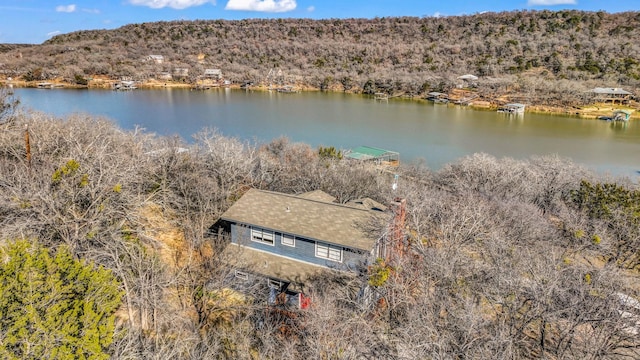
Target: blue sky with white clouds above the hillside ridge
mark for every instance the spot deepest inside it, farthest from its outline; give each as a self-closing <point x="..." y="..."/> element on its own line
<point x="34" y="21"/>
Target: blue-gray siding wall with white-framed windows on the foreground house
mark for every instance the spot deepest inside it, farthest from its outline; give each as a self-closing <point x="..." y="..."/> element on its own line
<point x="304" y="250"/>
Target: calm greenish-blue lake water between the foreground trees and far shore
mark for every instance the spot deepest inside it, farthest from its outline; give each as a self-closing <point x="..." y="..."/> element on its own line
<point x="419" y="131"/>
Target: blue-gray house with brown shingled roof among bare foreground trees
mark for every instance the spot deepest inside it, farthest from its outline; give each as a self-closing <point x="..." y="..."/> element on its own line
<point x="285" y="238"/>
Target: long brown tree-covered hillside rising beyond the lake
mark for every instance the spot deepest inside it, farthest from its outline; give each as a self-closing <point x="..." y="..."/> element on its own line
<point x="545" y="55"/>
